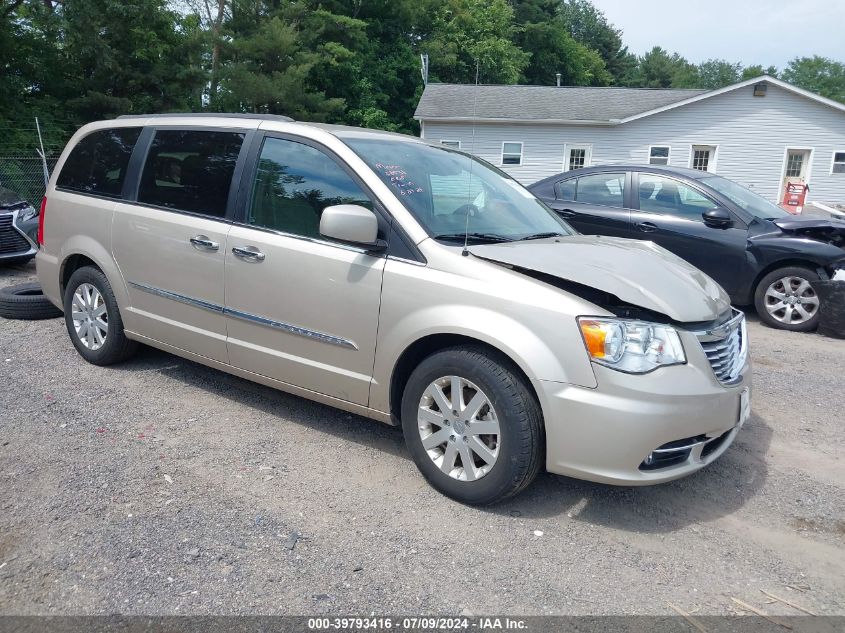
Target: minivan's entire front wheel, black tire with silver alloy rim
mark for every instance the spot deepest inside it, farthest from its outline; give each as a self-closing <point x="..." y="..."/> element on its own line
<point x="472" y="425"/>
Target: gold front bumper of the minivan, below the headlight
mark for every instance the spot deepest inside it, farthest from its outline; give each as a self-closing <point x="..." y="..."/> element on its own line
<point x="606" y="434"/>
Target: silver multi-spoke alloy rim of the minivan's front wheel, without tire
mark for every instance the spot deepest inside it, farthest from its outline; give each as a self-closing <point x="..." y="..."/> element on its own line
<point x="459" y="428"/>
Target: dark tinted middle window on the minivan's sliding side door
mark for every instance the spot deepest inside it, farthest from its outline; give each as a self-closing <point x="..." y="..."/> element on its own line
<point x="190" y="170"/>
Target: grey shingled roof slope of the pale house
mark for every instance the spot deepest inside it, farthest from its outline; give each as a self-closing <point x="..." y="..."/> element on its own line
<point x="534" y="103"/>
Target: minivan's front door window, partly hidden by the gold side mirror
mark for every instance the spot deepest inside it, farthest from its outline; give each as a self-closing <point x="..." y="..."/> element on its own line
<point x="294" y="183"/>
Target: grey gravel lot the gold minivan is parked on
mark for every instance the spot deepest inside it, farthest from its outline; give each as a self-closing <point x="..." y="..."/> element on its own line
<point x="163" y="487"/>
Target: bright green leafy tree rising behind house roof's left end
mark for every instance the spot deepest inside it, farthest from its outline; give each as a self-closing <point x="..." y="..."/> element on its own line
<point x="470" y="32"/>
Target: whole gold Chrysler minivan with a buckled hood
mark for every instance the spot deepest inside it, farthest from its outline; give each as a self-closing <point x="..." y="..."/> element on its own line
<point x="399" y="280"/>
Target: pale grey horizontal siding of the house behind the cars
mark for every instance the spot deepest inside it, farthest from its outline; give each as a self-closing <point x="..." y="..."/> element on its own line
<point x="751" y="135"/>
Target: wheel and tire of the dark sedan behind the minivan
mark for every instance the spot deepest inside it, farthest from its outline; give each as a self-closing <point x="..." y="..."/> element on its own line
<point x="785" y="299"/>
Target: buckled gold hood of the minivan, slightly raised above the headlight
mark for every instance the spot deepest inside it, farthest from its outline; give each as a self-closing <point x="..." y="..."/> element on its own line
<point x="640" y="273"/>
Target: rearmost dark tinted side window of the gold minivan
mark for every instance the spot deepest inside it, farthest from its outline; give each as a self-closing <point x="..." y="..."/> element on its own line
<point x="97" y="165"/>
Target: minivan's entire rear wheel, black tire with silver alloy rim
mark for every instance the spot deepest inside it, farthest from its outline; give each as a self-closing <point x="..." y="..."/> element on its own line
<point x="93" y="320"/>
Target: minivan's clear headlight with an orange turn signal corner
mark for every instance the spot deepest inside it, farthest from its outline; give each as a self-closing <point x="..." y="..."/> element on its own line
<point x="635" y="347"/>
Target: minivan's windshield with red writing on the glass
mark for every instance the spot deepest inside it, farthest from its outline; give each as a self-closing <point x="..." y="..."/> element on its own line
<point x="450" y="192"/>
